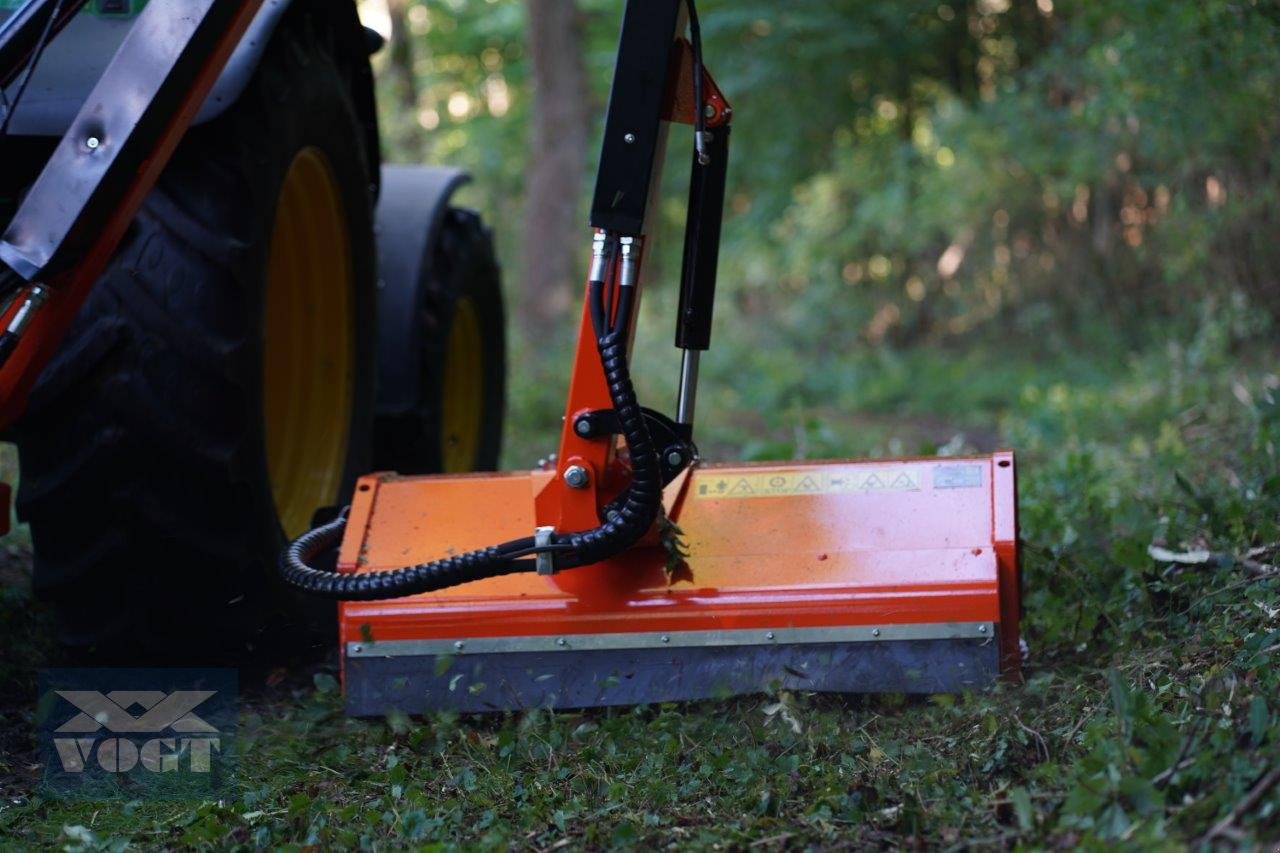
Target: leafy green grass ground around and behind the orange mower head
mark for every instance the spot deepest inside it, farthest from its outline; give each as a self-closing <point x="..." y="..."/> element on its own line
<point x="1149" y="715"/>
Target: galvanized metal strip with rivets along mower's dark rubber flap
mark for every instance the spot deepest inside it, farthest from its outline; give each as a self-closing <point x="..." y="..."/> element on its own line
<point x="673" y="640"/>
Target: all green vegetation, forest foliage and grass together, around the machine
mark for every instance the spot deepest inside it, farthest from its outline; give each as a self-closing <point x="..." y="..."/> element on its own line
<point x="1046" y="226"/>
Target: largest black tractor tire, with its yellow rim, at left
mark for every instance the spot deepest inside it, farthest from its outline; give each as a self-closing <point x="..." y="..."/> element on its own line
<point x="218" y="386"/>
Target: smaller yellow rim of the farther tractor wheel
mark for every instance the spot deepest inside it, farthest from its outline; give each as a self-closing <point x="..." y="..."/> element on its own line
<point x="463" y="408"/>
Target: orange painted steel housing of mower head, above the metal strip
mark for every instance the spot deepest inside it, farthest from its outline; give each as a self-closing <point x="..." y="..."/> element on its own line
<point x="881" y="542"/>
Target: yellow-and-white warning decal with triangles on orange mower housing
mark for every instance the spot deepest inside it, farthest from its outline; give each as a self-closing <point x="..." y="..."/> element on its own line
<point x="828" y="481"/>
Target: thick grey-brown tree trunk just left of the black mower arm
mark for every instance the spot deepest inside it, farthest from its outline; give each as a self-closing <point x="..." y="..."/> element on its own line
<point x="557" y="159"/>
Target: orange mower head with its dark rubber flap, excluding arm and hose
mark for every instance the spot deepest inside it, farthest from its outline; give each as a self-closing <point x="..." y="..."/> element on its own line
<point x="884" y="576"/>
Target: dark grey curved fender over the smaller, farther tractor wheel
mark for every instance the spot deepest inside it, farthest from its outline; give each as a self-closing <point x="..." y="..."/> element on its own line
<point x="408" y="225"/>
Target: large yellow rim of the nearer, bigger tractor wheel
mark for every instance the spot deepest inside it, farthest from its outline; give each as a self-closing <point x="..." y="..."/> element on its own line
<point x="308" y="344"/>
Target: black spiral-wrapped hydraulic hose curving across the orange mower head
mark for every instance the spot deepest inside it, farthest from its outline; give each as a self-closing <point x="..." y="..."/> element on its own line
<point x="637" y="509"/>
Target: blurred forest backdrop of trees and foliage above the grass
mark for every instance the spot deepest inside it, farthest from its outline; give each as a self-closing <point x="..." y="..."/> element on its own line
<point x="903" y="170"/>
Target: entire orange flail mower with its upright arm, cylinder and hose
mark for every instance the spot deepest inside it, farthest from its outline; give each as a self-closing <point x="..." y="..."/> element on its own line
<point x="630" y="573"/>
